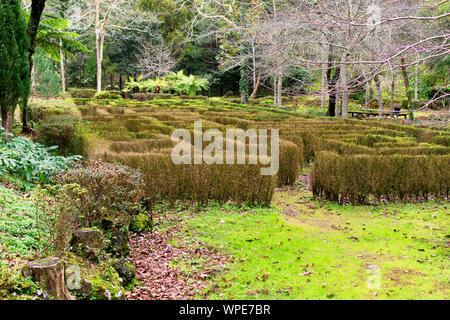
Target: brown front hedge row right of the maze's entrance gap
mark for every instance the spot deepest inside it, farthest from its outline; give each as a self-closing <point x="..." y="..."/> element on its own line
<point x="398" y="177"/>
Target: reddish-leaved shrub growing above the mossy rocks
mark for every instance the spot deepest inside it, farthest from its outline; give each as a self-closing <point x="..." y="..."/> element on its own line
<point x="112" y="191"/>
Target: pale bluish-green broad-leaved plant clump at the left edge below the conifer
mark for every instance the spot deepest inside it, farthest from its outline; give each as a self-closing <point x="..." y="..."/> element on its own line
<point x="29" y="161"/>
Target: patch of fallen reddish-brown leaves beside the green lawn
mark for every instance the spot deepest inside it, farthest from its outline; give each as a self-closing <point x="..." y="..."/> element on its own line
<point x="159" y="263"/>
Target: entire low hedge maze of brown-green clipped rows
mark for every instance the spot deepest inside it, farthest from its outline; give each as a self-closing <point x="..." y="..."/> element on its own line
<point x="353" y="161"/>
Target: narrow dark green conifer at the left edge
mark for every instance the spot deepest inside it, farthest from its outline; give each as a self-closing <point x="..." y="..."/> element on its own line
<point x="14" y="67"/>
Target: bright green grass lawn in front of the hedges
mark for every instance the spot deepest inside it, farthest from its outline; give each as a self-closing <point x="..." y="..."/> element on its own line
<point x="304" y="249"/>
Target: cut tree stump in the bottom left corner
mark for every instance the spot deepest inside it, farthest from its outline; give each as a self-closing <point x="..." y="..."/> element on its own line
<point x="50" y="272"/>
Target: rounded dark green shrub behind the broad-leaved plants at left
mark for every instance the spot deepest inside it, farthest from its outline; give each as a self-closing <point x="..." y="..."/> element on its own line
<point x="64" y="132"/>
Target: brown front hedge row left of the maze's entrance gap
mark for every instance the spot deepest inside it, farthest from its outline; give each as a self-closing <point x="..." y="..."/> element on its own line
<point x="239" y="183"/>
